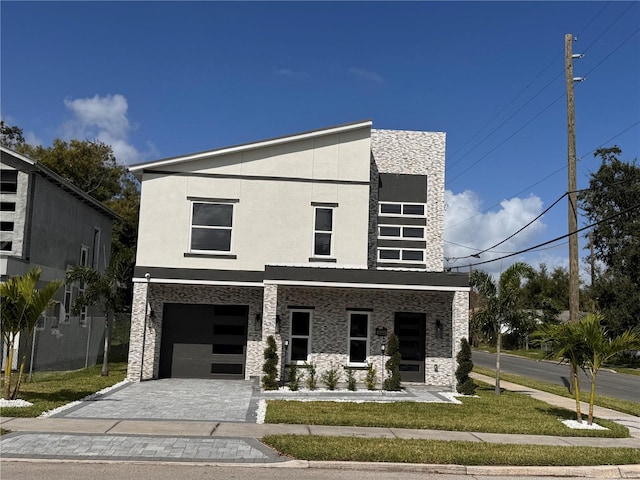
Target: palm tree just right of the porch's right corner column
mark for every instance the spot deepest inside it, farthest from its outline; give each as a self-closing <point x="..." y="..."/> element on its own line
<point x="500" y="304"/>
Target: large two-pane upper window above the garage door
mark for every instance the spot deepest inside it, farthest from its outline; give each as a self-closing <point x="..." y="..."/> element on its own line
<point x="211" y="225"/>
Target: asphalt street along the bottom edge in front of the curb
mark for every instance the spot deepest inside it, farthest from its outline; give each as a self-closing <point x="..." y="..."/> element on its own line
<point x="23" y="470"/>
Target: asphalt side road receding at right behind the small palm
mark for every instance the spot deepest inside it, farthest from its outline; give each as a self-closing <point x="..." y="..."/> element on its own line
<point x="611" y="384"/>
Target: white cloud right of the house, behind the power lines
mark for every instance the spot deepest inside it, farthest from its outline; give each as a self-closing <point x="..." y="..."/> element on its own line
<point x="467" y="226"/>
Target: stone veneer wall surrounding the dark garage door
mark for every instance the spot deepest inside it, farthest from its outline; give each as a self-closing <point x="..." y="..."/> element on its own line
<point x="159" y="294"/>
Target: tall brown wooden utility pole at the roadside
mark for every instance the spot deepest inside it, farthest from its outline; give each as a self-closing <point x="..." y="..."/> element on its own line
<point x="574" y="300"/>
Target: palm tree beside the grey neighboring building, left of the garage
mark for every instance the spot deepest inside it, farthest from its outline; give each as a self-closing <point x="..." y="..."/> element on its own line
<point x="106" y="288"/>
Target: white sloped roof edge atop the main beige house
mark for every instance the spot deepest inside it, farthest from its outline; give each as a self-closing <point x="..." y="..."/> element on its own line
<point x="140" y="167"/>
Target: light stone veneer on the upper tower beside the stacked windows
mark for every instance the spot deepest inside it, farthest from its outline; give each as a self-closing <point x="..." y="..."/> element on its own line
<point x="417" y="153"/>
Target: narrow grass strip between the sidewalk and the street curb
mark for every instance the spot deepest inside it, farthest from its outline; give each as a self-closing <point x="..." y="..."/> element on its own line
<point x="442" y="452"/>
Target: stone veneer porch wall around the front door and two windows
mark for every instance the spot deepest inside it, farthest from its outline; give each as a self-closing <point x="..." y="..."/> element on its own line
<point x="329" y="330"/>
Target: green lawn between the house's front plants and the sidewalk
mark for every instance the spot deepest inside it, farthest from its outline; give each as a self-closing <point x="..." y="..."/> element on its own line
<point x="507" y="413"/>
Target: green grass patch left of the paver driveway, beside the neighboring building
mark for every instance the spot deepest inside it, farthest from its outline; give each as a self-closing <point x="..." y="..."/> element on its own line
<point x="49" y="390"/>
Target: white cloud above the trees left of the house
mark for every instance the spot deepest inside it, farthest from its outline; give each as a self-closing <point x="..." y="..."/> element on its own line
<point x="103" y="118"/>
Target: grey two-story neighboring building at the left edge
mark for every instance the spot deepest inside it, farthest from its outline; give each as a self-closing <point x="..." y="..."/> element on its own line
<point x="48" y="222"/>
